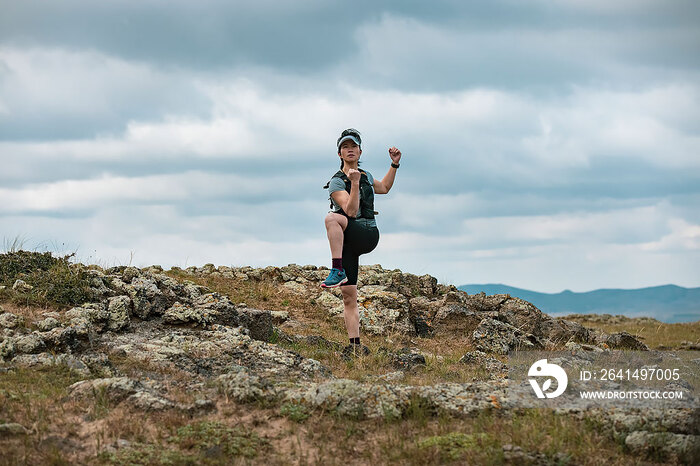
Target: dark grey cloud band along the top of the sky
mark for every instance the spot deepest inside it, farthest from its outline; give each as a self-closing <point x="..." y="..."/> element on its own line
<point x="300" y="36"/>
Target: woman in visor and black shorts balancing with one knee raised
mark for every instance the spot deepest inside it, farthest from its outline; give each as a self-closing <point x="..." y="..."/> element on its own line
<point x="351" y="227"/>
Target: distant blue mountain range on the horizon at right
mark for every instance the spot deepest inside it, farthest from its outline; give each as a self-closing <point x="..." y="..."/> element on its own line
<point x="668" y="303"/>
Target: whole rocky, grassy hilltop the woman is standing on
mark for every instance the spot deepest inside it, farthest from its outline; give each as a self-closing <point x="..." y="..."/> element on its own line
<point x="208" y="347"/>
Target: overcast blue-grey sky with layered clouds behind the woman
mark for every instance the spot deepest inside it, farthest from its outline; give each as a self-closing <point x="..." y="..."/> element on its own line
<point x="547" y="144"/>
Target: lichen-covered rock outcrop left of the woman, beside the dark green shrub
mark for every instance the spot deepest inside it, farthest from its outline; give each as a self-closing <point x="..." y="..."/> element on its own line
<point x="128" y="294"/>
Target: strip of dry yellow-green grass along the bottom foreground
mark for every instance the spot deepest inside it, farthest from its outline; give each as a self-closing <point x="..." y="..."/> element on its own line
<point x="251" y="434"/>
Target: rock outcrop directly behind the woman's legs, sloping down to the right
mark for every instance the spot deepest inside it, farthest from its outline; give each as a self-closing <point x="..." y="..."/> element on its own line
<point x="394" y="302"/>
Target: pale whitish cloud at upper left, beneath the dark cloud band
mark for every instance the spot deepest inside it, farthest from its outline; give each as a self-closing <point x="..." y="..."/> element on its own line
<point x="55" y="94"/>
